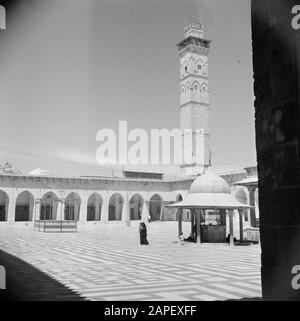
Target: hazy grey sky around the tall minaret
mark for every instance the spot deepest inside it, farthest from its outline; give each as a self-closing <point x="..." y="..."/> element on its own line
<point x="69" y="68"/>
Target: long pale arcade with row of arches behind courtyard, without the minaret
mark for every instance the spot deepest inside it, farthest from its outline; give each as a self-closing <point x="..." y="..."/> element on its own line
<point x="26" y="198"/>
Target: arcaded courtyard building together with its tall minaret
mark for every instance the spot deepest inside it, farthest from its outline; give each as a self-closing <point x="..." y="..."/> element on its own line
<point x="27" y="198"/>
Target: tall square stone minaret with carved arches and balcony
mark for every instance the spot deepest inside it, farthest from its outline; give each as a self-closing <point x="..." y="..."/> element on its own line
<point x="194" y="99"/>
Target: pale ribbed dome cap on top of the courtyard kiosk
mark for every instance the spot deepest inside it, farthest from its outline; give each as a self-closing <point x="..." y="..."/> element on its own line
<point x="209" y="182"/>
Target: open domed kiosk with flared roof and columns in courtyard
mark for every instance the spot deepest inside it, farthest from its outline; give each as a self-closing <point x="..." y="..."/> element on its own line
<point x="210" y="200"/>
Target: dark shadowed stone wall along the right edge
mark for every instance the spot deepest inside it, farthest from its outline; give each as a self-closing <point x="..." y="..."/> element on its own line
<point x="276" y="55"/>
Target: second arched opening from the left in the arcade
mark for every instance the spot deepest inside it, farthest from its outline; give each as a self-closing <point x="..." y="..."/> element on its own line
<point x="24" y="207"/>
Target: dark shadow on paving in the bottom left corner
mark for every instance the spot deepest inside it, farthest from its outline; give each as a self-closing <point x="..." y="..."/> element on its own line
<point x="24" y="282"/>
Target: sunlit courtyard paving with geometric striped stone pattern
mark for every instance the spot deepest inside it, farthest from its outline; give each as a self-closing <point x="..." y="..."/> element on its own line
<point x="106" y="262"/>
